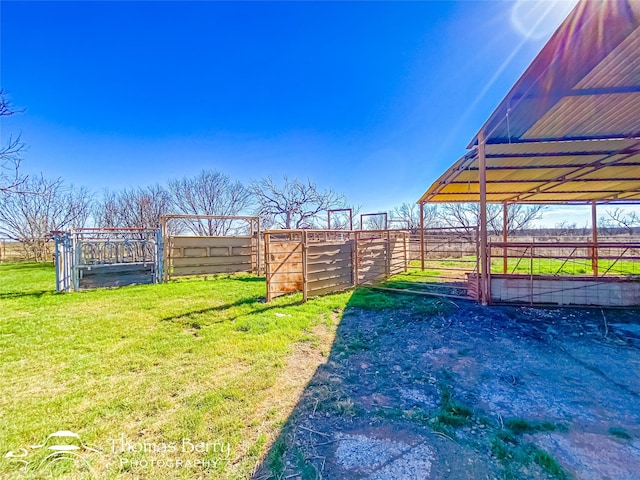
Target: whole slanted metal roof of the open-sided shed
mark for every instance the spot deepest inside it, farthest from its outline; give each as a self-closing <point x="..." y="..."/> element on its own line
<point x="569" y="129"/>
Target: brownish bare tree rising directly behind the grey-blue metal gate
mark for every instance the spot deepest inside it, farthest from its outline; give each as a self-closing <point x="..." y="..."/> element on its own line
<point x="133" y="208"/>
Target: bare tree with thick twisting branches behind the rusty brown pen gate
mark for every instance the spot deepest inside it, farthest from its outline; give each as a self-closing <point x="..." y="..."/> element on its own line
<point x="294" y="204"/>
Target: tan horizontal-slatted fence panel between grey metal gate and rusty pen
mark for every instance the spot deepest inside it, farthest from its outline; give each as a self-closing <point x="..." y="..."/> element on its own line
<point x="210" y="255"/>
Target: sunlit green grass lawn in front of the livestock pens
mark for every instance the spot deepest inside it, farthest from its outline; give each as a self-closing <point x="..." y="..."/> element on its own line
<point x="197" y="359"/>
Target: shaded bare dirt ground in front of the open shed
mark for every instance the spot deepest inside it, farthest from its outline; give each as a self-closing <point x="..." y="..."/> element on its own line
<point x="470" y="392"/>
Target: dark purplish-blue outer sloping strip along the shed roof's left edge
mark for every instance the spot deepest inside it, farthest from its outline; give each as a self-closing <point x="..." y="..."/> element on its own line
<point x="587" y="38"/>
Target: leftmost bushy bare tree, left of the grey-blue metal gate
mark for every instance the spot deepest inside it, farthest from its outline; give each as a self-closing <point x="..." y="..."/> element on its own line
<point x="49" y="206"/>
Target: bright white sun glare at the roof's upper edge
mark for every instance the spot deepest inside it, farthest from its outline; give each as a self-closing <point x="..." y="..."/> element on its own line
<point x="537" y="19"/>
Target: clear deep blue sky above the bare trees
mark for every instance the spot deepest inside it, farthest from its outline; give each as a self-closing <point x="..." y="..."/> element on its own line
<point x="375" y="100"/>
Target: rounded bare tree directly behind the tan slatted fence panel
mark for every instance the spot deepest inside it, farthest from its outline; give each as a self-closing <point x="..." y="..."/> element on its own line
<point x="209" y="193"/>
